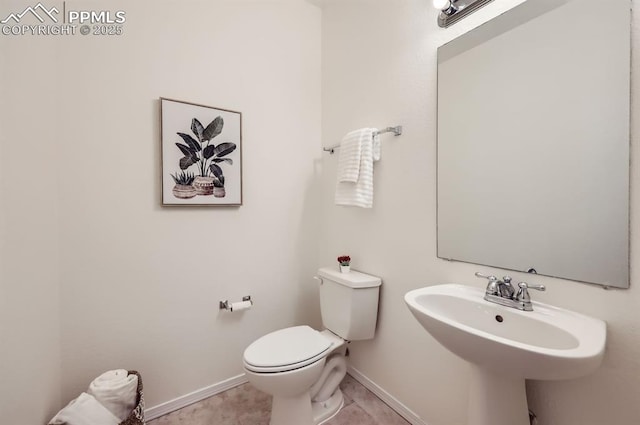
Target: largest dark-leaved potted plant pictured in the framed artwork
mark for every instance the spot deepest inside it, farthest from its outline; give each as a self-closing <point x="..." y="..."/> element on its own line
<point x="202" y="153"/>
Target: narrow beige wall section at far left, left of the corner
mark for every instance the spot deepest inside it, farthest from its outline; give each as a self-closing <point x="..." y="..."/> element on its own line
<point x="29" y="214"/>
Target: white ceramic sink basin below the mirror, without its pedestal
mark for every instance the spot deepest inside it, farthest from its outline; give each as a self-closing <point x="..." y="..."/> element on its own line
<point x="547" y="343"/>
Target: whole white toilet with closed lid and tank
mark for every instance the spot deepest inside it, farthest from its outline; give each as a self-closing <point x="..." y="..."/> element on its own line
<point x="301" y="367"/>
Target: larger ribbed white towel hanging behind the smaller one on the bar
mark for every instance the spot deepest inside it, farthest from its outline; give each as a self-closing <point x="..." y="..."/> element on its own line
<point x="360" y="192"/>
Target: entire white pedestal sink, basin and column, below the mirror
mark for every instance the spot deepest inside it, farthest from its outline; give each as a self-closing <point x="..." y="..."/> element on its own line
<point x="505" y="346"/>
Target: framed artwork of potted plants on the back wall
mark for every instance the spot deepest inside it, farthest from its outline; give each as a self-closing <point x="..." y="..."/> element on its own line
<point x="201" y="154"/>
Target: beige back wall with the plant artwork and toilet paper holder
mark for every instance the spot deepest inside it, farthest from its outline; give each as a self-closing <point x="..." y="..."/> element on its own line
<point x="140" y="284"/>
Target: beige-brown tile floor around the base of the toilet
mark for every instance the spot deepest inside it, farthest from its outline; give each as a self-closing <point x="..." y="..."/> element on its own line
<point x="244" y="405"/>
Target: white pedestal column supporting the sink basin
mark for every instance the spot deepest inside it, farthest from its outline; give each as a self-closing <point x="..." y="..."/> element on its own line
<point x="496" y="399"/>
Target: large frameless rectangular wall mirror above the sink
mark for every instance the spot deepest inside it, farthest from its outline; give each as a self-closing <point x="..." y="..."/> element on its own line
<point x="533" y="141"/>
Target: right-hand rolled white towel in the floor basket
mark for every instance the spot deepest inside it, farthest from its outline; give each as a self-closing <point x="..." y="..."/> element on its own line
<point x="117" y="391"/>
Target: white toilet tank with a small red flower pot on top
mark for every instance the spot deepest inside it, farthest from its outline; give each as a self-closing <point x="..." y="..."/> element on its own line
<point x="349" y="303"/>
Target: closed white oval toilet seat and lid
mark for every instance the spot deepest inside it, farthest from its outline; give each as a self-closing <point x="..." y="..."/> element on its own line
<point x="286" y="349"/>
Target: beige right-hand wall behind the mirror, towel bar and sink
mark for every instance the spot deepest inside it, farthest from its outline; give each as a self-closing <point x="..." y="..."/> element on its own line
<point x="379" y="69"/>
